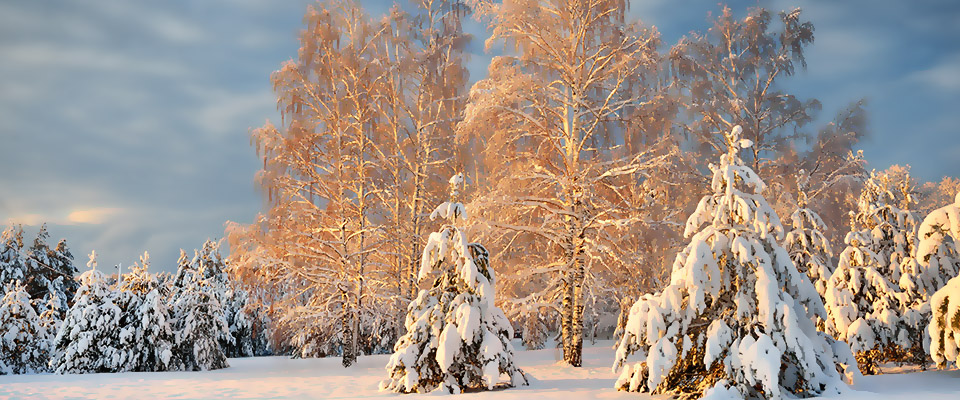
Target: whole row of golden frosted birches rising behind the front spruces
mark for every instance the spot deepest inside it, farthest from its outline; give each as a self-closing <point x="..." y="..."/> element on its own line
<point x="584" y="148"/>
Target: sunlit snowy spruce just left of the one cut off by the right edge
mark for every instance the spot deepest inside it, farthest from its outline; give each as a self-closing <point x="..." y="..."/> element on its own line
<point x="871" y="300"/>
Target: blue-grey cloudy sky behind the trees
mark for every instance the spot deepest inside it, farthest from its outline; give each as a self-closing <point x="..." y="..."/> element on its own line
<point x="125" y="125"/>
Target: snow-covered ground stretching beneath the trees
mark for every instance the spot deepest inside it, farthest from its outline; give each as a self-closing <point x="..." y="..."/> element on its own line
<point x="284" y="378"/>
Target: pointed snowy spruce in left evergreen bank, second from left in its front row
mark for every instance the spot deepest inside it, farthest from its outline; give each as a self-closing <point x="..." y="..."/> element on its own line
<point x="88" y="339"/>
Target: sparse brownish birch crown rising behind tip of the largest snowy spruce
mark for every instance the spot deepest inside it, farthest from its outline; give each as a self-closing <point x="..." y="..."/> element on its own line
<point x="732" y="74"/>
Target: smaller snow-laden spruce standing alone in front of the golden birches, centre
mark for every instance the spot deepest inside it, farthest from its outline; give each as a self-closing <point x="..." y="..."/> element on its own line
<point x="456" y="336"/>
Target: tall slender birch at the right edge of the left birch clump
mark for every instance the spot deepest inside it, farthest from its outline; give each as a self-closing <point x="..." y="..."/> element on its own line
<point x="420" y="104"/>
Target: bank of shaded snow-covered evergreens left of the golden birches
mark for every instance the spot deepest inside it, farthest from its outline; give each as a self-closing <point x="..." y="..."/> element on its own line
<point x="55" y="321"/>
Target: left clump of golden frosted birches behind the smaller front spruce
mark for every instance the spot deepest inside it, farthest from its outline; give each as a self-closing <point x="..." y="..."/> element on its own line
<point x="366" y="106"/>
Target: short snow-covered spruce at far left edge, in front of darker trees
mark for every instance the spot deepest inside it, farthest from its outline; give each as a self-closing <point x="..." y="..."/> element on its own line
<point x="23" y="339"/>
